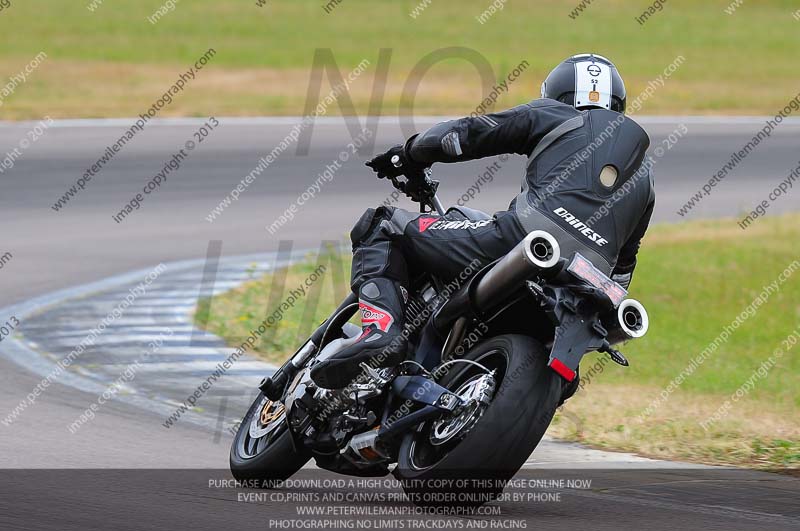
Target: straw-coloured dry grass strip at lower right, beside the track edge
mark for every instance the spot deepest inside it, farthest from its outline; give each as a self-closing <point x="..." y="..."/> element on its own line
<point x="755" y="434"/>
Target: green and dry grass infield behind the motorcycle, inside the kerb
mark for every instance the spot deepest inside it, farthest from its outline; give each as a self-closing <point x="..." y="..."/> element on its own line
<point x="696" y="279"/>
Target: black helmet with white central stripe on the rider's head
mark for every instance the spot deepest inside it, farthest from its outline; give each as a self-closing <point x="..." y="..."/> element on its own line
<point x="586" y="81"/>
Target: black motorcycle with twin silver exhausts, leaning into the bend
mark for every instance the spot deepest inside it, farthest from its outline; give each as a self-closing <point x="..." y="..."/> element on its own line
<point x="489" y="362"/>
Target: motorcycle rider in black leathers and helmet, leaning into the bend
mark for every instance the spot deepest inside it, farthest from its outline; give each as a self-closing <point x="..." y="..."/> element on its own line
<point x="581" y="150"/>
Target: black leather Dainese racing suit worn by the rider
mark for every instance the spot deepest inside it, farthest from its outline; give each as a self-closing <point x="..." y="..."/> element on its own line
<point x="561" y="192"/>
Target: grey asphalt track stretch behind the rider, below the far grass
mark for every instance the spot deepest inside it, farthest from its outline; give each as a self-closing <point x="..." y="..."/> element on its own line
<point x="82" y="243"/>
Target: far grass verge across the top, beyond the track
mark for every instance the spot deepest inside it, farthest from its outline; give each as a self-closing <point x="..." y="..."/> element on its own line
<point x="111" y="61"/>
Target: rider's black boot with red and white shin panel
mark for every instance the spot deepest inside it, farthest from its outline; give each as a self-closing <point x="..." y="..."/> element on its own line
<point x="382" y="342"/>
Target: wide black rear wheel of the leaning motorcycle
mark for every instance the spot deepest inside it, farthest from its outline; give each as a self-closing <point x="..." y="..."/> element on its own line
<point x="474" y="453"/>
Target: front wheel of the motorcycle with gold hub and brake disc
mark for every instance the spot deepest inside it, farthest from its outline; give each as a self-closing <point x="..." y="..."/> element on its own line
<point x="263" y="448"/>
